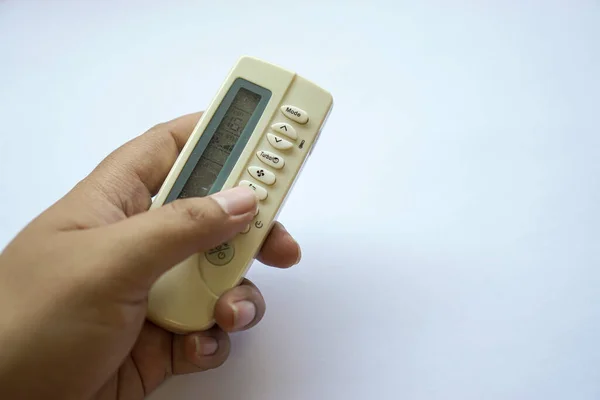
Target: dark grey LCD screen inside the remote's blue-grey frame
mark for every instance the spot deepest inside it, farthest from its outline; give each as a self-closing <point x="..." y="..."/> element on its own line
<point x="221" y="144"/>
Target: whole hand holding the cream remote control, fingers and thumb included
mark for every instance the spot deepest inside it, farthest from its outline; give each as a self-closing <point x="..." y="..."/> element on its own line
<point x="74" y="282"/>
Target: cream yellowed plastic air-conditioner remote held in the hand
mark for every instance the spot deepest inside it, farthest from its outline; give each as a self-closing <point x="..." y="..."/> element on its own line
<point x="258" y="131"/>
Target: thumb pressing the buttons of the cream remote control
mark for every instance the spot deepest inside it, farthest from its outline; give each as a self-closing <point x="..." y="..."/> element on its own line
<point x="148" y="244"/>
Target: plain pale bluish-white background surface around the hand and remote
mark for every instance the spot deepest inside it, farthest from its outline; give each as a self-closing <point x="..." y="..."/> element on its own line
<point x="449" y="217"/>
